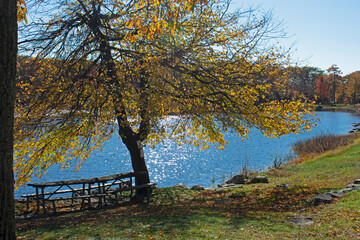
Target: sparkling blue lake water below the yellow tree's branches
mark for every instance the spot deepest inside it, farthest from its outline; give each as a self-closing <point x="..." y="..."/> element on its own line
<point x="170" y="164"/>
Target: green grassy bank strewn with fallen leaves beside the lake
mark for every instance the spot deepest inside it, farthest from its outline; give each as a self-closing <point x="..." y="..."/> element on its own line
<point x="253" y="211"/>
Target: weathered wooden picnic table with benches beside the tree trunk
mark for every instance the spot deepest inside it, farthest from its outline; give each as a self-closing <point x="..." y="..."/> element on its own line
<point x="99" y="188"/>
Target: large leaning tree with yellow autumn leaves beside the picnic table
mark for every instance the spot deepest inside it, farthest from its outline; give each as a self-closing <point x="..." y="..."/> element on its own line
<point x="140" y="64"/>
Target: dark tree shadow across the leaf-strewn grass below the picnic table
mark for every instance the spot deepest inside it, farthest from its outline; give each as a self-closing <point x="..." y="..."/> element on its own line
<point x="173" y="211"/>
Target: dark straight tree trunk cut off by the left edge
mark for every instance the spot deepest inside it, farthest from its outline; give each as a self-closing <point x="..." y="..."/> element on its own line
<point x="8" y="52"/>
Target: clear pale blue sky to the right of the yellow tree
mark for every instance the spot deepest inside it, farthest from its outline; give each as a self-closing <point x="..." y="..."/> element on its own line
<point x="325" y="32"/>
